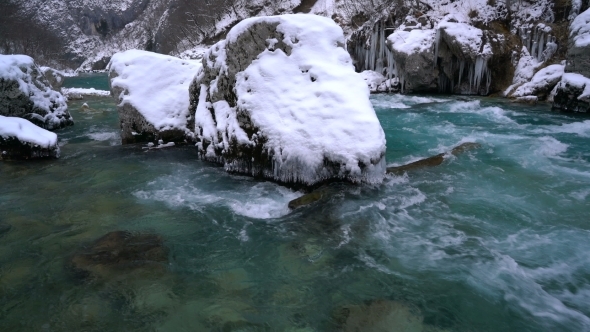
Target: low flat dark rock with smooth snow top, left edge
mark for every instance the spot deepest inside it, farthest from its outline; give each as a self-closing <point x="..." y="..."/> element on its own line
<point x="20" y="139"/>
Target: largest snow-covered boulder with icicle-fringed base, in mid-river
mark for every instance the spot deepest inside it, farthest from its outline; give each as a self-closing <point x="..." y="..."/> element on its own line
<point x="279" y="99"/>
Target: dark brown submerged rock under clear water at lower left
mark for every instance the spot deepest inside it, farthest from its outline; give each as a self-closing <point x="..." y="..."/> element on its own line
<point x="120" y="252"/>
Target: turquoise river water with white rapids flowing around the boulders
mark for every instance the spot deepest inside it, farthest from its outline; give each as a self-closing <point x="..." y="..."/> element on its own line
<point x="495" y="239"/>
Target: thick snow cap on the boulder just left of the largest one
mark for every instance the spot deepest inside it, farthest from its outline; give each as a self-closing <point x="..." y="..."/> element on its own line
<point x="155" y="85"/>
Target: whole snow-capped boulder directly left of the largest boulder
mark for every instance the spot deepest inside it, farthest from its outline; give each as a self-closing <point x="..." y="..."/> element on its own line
<point x="152" y="92"/>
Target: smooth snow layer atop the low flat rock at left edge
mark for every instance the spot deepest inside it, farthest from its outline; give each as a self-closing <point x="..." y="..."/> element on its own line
<point x="26" y="132"/>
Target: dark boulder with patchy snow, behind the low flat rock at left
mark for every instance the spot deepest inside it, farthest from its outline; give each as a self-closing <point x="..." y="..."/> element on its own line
<point x="26" y="93"/>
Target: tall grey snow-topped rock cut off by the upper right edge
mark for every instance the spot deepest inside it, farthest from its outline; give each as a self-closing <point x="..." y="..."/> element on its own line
<point x="578" y="53"/>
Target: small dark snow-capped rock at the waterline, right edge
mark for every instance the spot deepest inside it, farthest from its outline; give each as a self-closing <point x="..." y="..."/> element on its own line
<point x="573" y="93"/>
